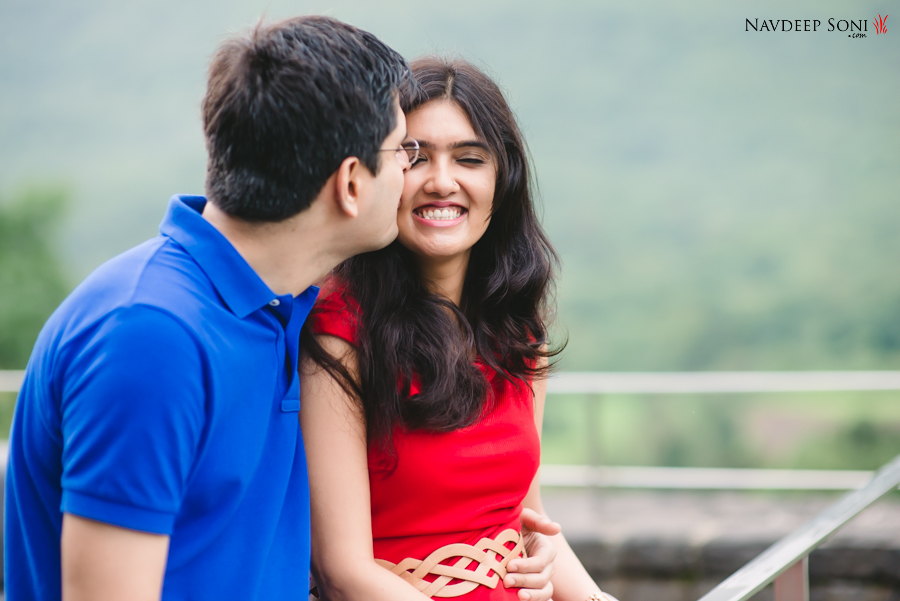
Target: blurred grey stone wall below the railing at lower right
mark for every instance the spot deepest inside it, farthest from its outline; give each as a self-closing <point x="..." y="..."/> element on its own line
<point x="644" y="546"/>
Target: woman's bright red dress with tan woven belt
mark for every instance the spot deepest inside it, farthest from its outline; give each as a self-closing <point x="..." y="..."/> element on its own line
<point x="447" y="487"/>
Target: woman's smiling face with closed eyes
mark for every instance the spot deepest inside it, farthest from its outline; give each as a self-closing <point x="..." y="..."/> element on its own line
<point x="449" y="191"/>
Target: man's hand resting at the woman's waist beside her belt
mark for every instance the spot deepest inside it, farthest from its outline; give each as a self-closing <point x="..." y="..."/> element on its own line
<point x="532" y="575"/>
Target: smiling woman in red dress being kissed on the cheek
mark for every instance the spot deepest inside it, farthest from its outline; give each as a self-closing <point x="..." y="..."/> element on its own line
<point x="424" y="378"/>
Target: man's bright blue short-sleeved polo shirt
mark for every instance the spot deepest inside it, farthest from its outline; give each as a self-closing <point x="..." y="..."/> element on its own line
<point x="162" y="396"/>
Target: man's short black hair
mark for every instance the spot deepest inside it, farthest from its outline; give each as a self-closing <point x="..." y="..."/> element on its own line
<point x="287" y="104"/>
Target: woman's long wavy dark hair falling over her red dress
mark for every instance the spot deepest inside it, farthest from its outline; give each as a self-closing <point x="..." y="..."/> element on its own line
<point x="502" y="318"/>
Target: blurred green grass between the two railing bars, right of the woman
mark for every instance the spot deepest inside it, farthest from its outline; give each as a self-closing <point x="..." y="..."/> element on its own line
<point x="795" y="430"/>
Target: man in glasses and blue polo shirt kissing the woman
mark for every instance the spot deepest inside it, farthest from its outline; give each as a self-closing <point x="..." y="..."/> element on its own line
<point x="155" y="451"/>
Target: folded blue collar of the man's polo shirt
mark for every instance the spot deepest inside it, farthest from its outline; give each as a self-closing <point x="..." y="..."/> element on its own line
<point x="242" y="290"/>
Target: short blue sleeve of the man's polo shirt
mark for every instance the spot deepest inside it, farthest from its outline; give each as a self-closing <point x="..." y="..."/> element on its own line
<point x="132" y="414"/>
